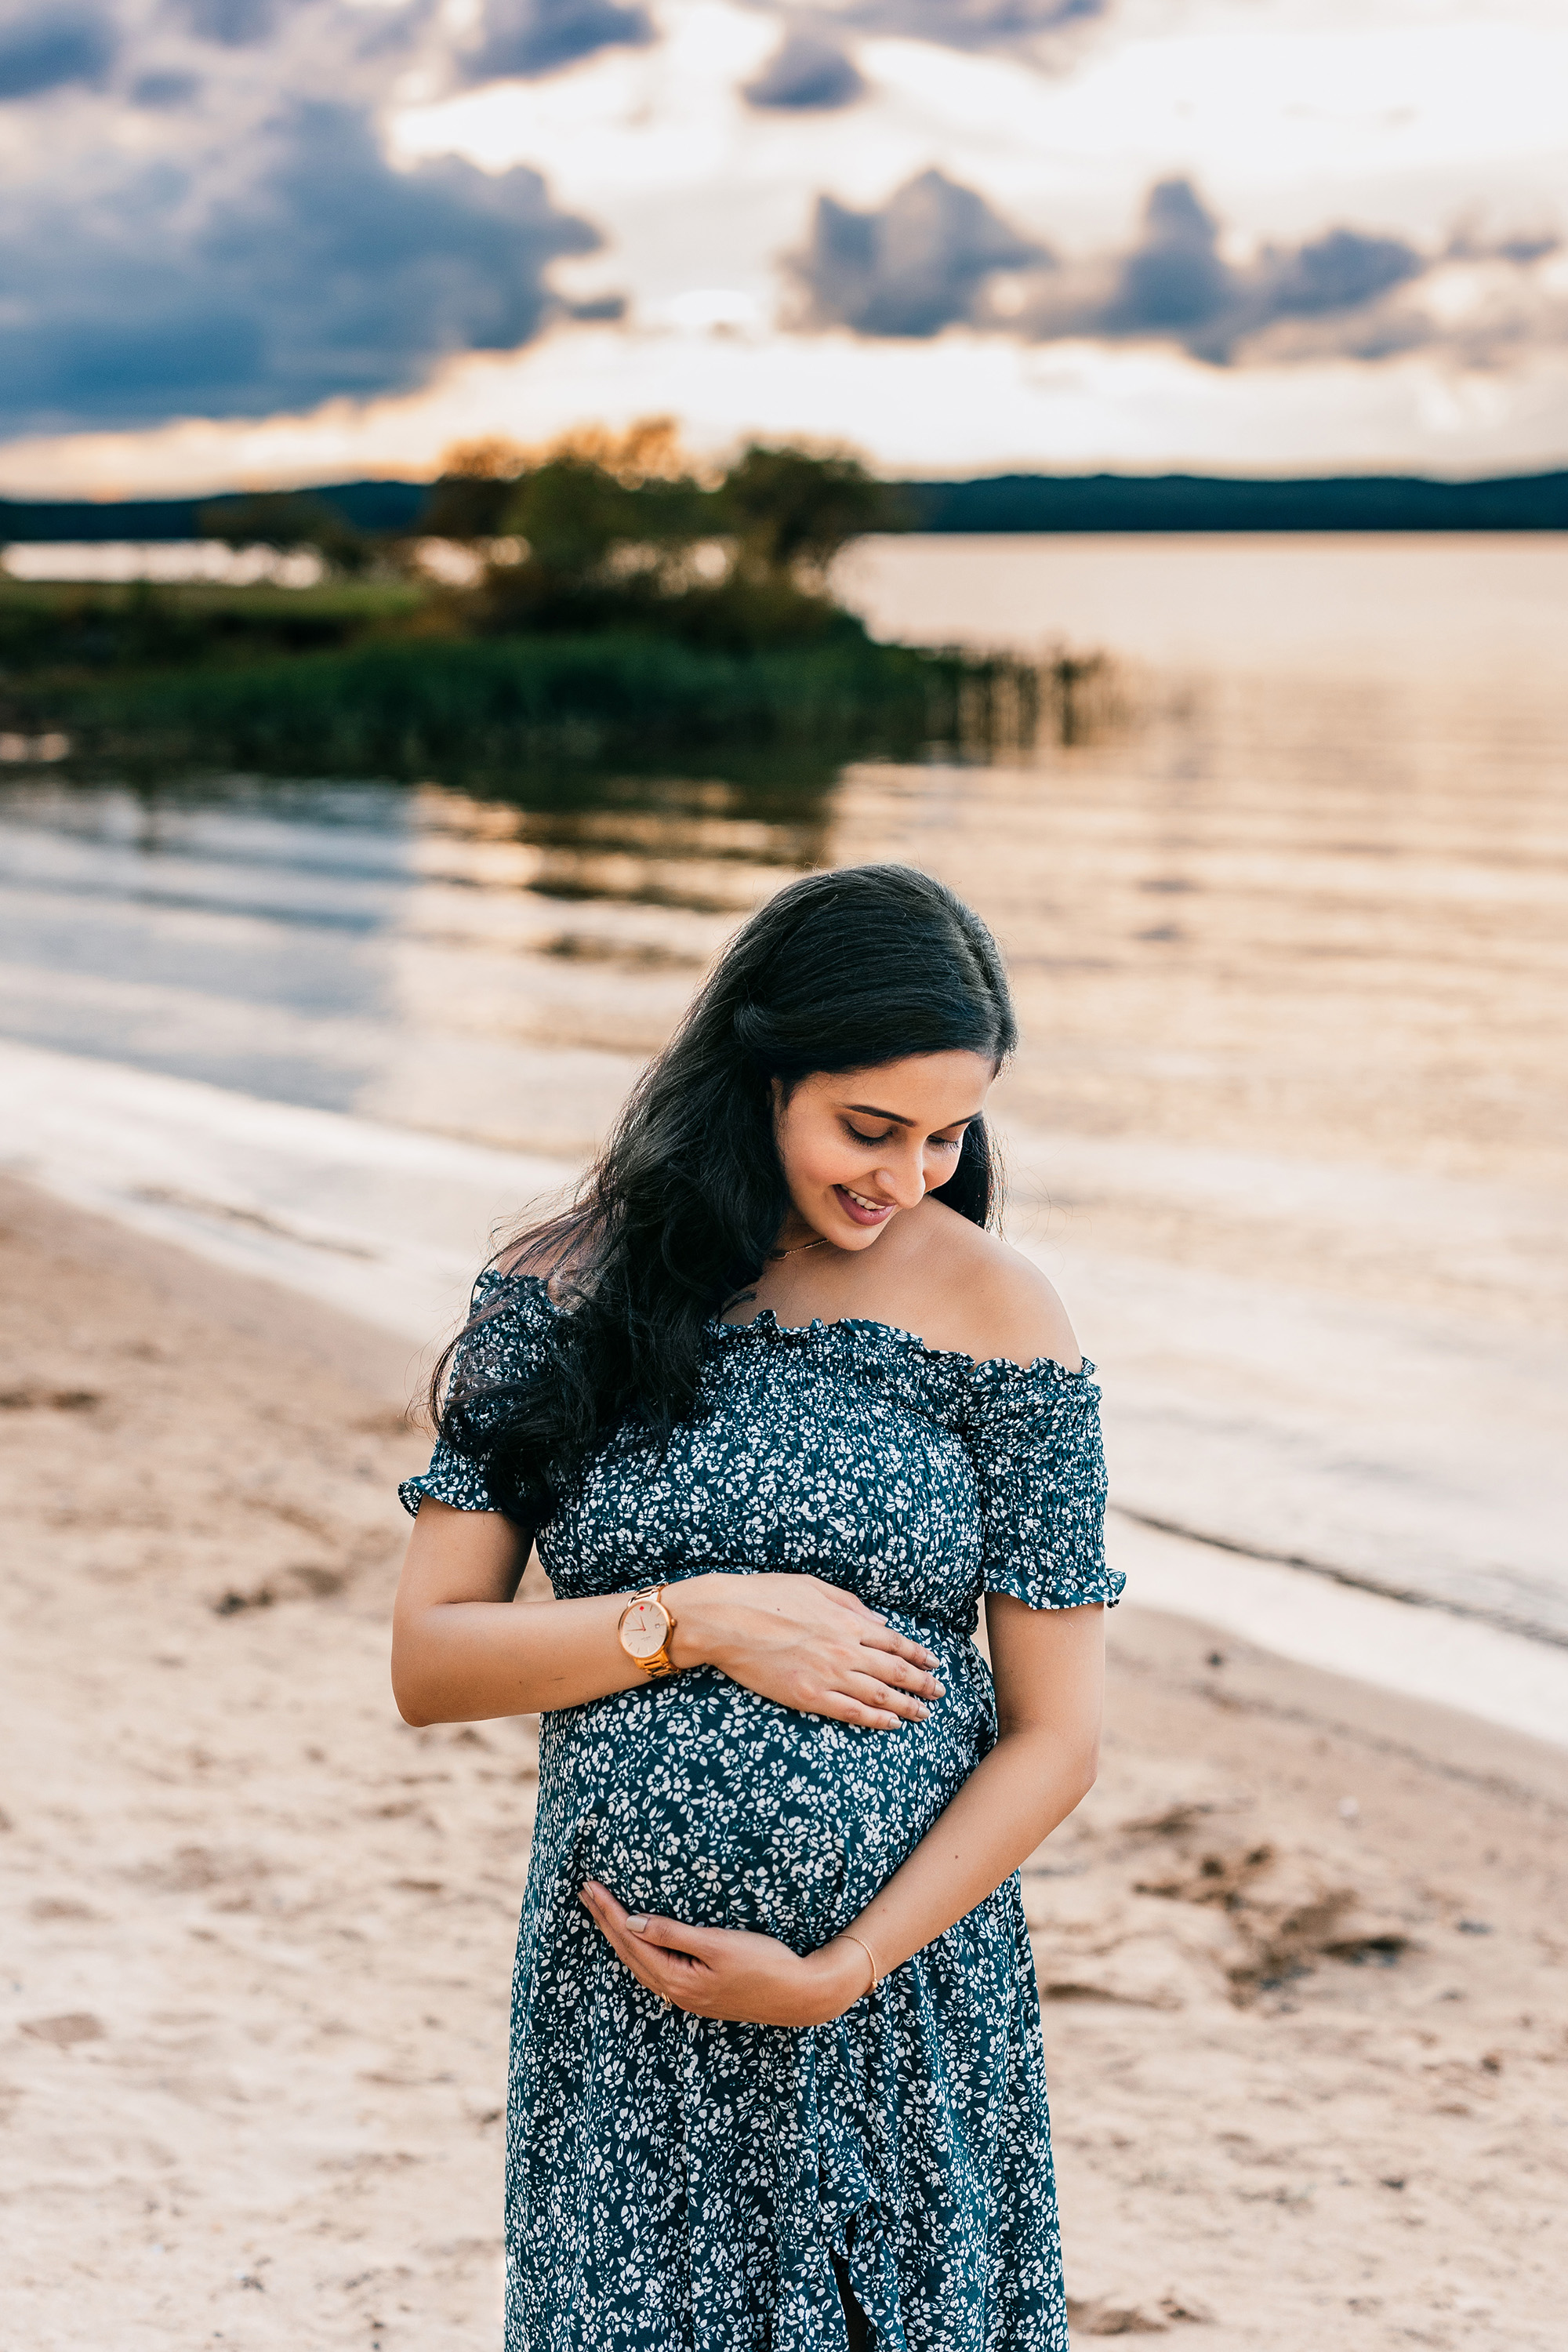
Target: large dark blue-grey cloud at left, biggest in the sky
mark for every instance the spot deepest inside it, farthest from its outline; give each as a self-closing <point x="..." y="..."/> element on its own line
<point x="307" y="267"/>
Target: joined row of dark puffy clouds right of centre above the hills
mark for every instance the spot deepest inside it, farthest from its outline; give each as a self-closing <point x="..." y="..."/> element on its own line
<point x="937" y="255"/>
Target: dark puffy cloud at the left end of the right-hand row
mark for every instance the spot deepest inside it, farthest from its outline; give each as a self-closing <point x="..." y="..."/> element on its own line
<point x="916" y="267"/>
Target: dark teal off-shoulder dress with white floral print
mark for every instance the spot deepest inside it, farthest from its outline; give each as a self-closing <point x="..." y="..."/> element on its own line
<point x="683" y="2184"/>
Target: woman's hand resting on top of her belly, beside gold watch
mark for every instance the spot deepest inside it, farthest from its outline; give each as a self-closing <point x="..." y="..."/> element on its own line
<point x="805" y="1645"/>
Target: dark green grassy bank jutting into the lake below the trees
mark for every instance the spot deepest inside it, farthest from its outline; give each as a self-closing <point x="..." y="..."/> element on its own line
<point x="356" y="679"/>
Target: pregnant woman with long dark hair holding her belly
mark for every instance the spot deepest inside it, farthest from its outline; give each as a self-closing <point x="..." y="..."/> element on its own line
<point x="779" y="1410"/>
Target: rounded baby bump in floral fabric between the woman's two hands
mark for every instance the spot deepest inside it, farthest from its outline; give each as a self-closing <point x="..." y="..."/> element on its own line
<point x="704" y="1803"/>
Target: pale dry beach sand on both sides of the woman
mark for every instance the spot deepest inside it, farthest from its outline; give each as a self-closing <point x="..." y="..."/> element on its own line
<point x="1301" y="1951"/>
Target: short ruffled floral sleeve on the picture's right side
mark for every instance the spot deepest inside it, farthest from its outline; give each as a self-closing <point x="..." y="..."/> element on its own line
<point x="1040" y="1466"/>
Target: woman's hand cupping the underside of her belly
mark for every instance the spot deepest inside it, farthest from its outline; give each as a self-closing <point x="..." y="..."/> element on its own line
<point x="730" y="1972"/>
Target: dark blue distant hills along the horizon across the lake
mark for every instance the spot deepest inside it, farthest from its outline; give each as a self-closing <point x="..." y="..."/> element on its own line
<point x="1007" y="502"/>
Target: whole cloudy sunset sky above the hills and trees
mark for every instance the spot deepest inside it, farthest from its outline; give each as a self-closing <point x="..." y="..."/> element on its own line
<point x="253" y="241"/>
